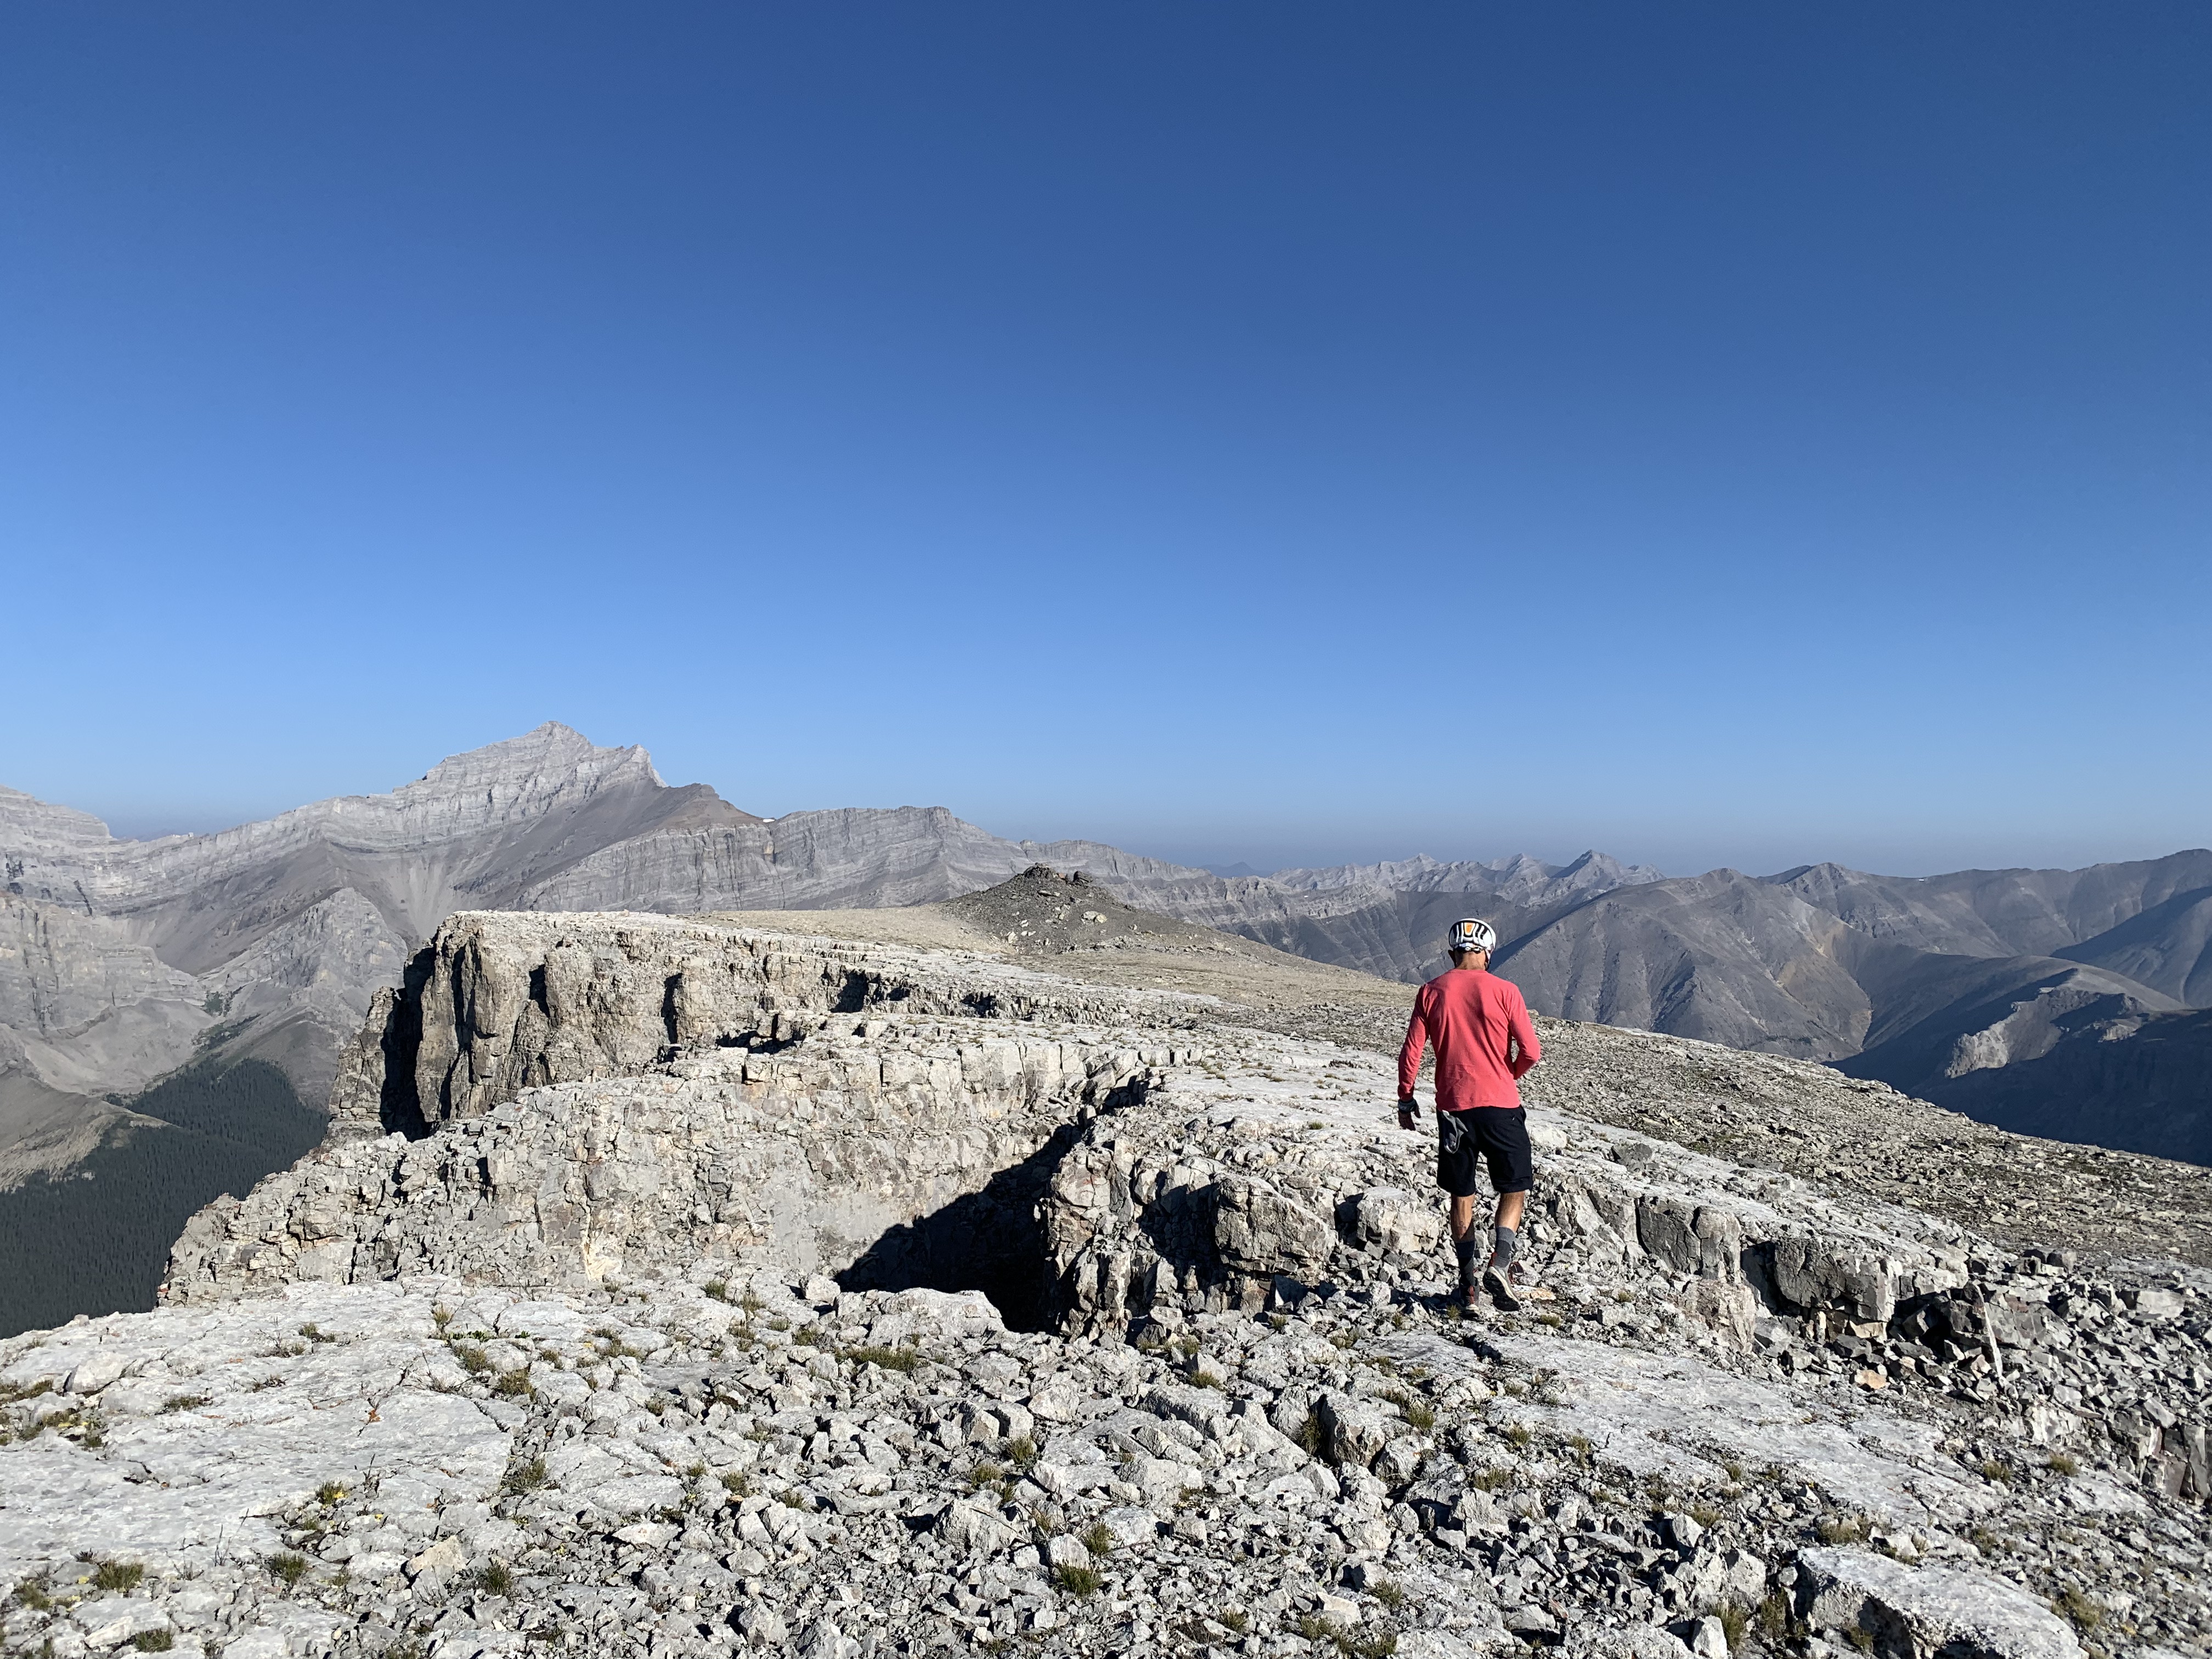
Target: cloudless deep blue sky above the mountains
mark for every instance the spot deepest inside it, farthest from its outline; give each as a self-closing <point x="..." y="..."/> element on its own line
<point x="1284" y="432"/>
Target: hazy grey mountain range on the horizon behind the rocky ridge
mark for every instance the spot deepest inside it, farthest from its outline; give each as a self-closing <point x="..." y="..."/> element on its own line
<point x="2052" y="1001"/>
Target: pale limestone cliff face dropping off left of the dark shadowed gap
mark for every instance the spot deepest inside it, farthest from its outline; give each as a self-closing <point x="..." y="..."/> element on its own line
<point x="603" y="1094"/>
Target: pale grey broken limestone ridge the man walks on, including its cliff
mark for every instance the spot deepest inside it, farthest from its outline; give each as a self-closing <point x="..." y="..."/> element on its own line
<point x="572" y="1370"/>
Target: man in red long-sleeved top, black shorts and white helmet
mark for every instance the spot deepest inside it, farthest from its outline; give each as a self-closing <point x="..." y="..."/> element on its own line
<point x="1485" y="1045"/>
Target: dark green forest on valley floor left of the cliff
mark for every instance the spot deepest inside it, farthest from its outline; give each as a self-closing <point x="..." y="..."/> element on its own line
<point x="96" y="1240"/>
